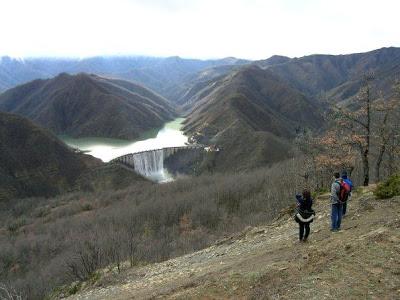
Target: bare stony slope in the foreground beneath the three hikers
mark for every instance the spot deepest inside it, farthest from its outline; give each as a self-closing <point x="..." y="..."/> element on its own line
<point x="360" y="262"/>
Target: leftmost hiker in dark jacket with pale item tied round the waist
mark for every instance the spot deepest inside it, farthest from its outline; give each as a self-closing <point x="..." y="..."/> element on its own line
<point x="304" y="214"/>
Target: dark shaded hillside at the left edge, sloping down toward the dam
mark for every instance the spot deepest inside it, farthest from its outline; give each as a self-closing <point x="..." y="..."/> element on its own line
<point x="35" y="163"/>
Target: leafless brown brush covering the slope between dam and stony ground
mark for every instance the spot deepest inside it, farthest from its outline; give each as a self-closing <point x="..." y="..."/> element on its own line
<point x="43" y="241"/>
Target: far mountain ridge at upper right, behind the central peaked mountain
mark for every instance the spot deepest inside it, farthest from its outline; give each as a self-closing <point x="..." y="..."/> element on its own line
<point x="338" y="77"/>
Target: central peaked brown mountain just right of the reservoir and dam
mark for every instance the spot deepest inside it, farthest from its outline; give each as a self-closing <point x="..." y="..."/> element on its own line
<point x="251" y="114"/>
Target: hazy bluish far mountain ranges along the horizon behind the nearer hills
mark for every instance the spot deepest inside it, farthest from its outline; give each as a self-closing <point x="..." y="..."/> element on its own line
<point x="172" y="76"/>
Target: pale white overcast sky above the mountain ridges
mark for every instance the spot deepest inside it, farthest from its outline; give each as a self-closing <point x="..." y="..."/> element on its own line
<point x="252" y="29"/>
